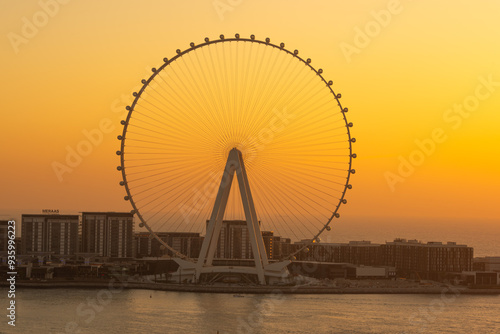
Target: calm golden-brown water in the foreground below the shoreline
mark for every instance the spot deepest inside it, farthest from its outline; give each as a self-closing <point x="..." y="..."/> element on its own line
<point x="142" y="311"/>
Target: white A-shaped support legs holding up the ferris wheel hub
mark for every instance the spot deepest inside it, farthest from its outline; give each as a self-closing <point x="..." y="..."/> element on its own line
<point x="234" y="164"/>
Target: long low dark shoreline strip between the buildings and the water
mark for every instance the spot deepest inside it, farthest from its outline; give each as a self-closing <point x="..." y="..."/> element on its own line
<point x="256" y="289"/>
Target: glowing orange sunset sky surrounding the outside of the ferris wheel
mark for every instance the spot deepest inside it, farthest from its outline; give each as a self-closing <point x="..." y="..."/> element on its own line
<point x="80" y="65"/>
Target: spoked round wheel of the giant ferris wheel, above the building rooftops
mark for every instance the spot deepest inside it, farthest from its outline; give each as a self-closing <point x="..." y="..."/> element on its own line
<point x="242" y="95"/>
